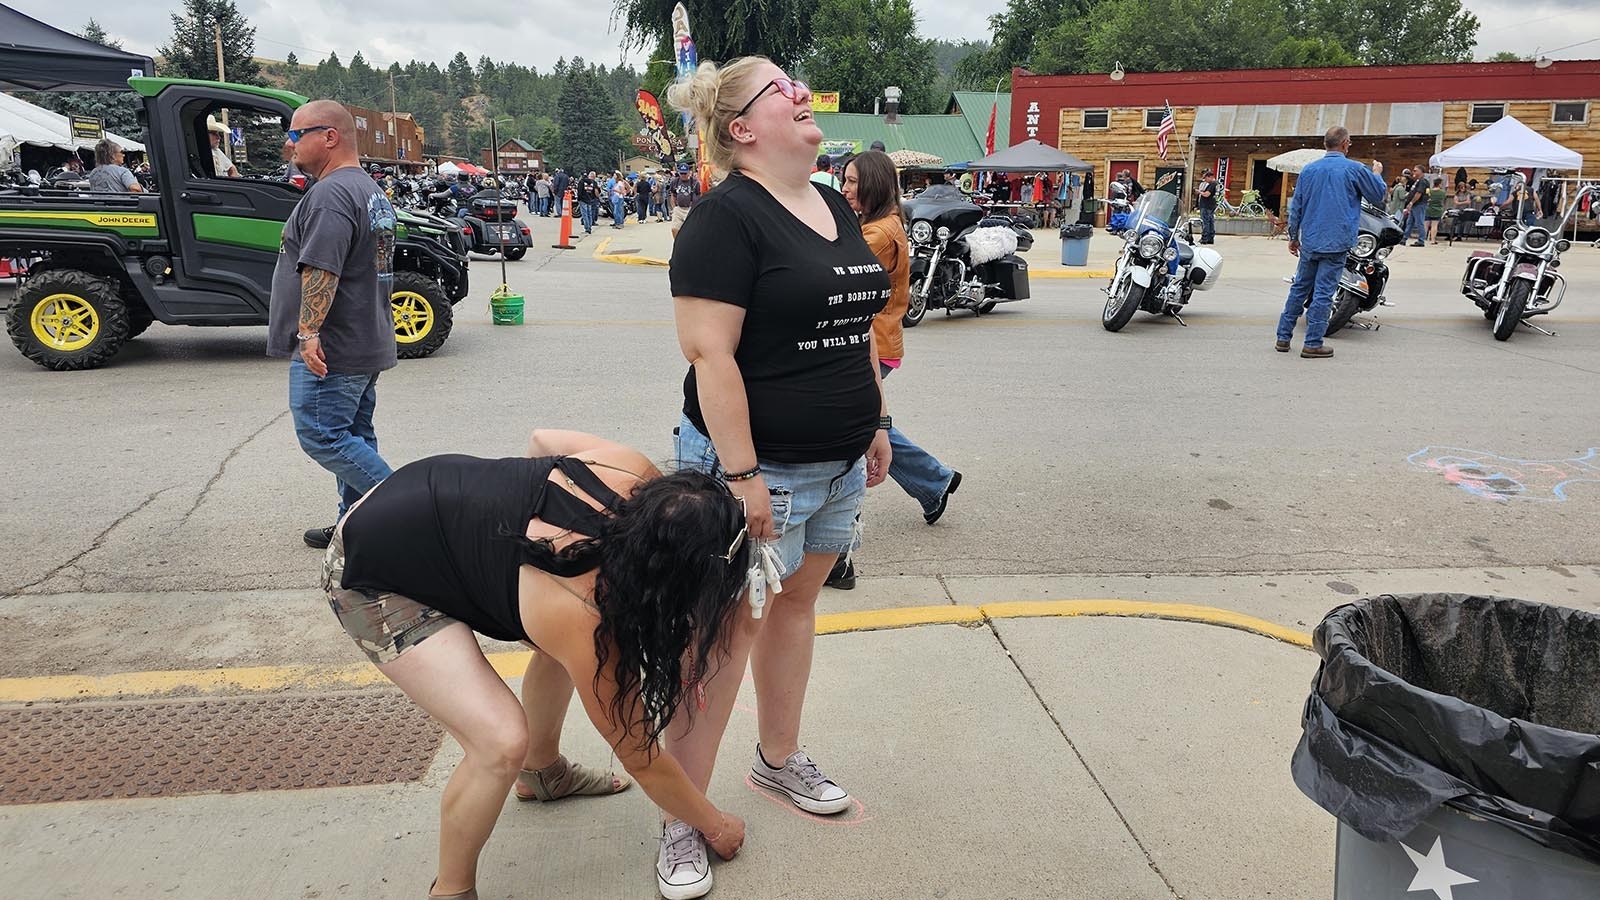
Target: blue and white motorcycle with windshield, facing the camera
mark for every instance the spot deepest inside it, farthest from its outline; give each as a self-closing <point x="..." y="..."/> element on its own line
<point x="1161" y="267"/>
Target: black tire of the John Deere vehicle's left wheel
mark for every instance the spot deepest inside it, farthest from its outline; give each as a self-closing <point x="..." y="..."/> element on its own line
<point x="98" y="294"/>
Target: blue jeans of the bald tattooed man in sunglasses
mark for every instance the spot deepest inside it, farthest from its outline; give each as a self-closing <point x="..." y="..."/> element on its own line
<point x="334" y="420"/>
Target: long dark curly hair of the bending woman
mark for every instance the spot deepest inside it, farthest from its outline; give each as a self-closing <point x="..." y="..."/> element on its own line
<point x="665" y="592"/>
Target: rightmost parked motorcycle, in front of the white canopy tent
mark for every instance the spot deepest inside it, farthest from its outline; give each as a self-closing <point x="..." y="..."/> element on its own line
<point x="1519" y="281"/>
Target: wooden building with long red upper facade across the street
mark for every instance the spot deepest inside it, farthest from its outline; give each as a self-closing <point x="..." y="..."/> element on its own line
<point x="1241" y="119"/>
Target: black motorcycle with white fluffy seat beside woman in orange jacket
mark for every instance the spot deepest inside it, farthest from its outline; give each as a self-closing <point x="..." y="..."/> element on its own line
<point x="961" y="257"/>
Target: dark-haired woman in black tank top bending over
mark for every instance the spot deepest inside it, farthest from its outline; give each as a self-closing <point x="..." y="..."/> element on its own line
<point x="622" y="579"/>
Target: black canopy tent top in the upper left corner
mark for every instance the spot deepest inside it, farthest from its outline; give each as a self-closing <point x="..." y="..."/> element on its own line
<point x="39" y="58"/>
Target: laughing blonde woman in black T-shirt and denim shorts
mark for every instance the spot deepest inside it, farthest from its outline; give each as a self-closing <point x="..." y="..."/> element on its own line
<point x="775" y="292"/>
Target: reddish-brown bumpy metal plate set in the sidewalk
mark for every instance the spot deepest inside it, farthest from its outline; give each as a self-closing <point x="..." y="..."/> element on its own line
<point x="230" y="745"/>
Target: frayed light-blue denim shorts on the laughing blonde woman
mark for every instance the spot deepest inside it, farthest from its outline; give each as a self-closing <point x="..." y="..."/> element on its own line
<point x="817" y="507"/>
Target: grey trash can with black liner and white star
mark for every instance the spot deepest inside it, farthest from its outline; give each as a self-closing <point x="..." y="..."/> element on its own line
<point x="1457" y="739"/>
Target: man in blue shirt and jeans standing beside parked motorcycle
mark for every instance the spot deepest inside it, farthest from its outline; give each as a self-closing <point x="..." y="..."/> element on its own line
<point x="1324" y="222"/>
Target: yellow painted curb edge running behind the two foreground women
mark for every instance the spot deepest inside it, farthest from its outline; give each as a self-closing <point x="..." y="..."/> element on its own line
<point x="266" y="680"/>
